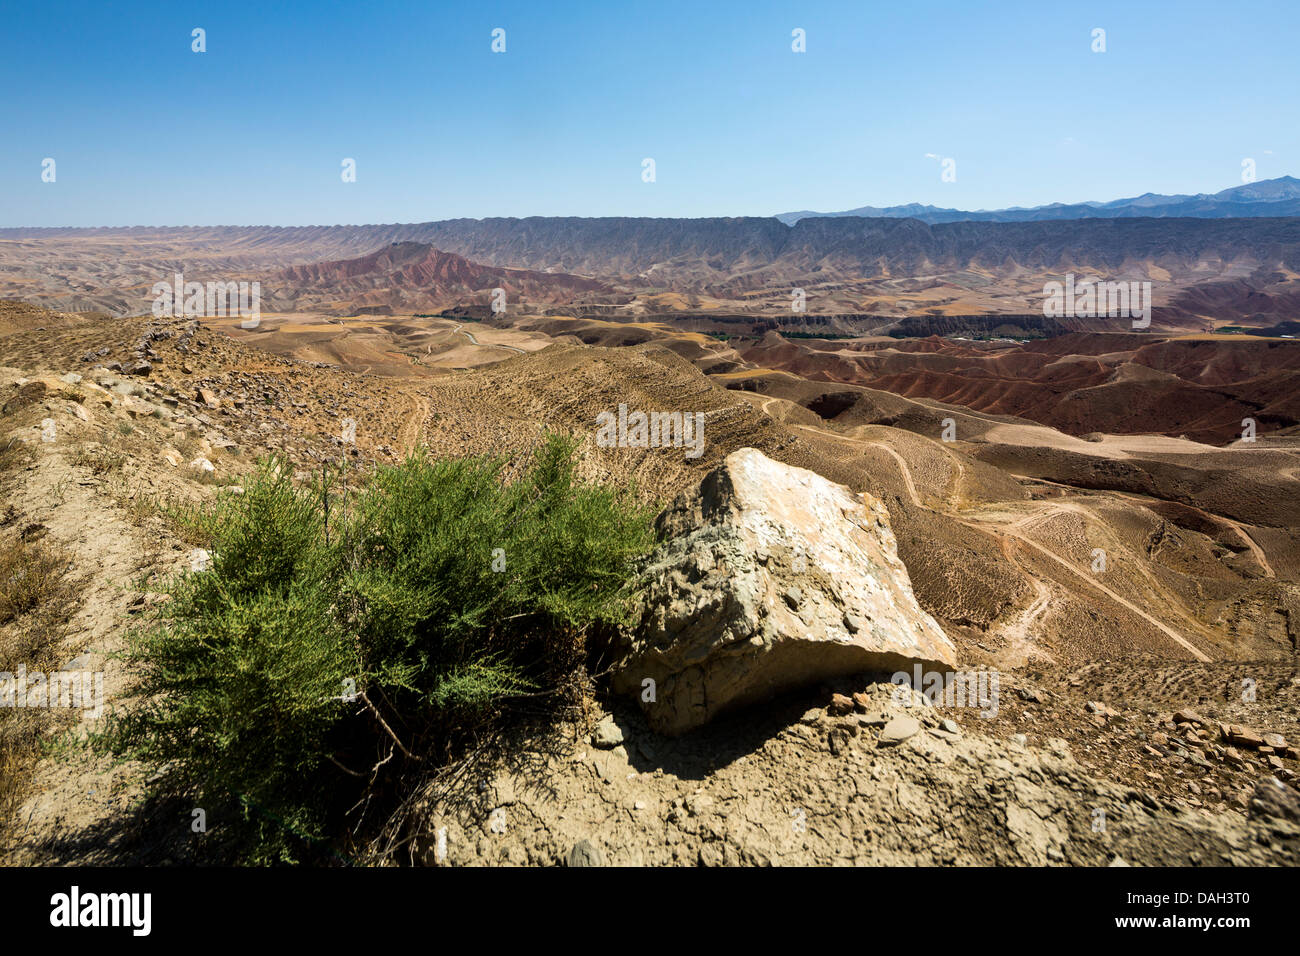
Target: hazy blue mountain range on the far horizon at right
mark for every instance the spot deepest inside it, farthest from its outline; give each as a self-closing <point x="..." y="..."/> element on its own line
<point x="1279" y="197"/>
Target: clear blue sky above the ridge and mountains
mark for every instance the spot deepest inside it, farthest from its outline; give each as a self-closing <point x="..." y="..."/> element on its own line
<point x="146" y="132"/>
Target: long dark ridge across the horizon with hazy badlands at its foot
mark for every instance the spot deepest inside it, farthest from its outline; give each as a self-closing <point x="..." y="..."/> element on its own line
<point x="894" y="267"/>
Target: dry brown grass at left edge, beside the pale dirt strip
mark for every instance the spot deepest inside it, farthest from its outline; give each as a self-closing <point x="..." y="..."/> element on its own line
<point x="37" y="603"/>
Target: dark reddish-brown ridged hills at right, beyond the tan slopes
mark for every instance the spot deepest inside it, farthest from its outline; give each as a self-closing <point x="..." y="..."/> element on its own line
<point x="1199" y="387"/>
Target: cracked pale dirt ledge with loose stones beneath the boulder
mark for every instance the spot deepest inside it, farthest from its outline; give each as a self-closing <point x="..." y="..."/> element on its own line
<point x="896" y="785"/>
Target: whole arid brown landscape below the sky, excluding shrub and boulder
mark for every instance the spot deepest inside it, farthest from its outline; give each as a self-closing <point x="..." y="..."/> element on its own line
<point x="1104" y="517"/>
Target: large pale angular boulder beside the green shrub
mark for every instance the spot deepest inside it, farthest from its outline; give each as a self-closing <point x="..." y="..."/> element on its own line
<point x="770" y="578"/>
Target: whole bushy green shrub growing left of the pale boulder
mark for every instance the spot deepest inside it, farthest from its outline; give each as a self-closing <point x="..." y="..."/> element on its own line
<point x="444" y="592"/>
